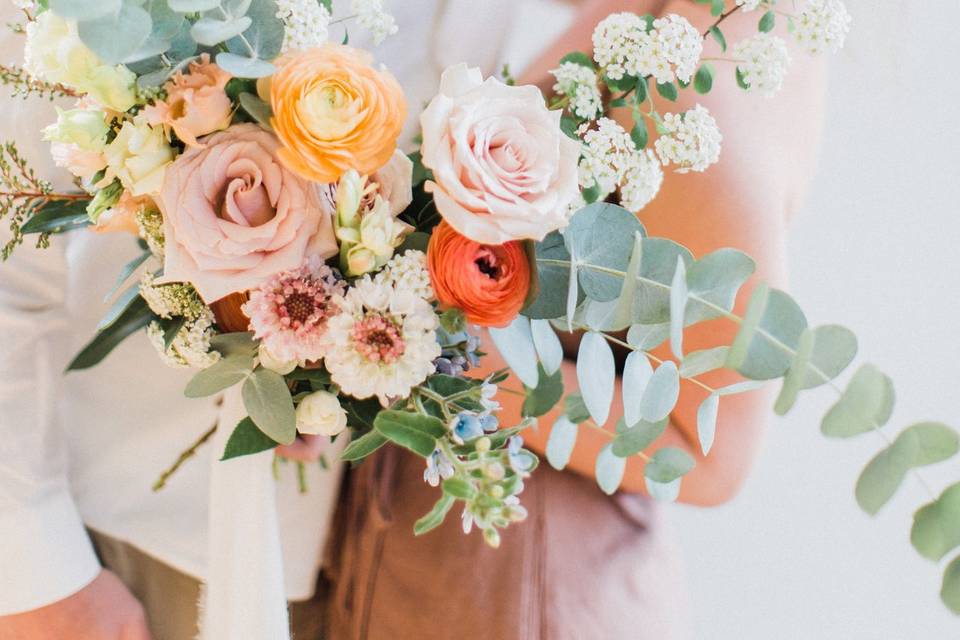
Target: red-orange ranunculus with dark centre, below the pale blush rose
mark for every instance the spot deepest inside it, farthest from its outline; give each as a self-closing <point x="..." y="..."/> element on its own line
<point x="489" y="283"/>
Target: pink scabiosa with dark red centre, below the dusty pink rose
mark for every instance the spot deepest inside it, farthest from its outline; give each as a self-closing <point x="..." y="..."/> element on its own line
<point x="289" y="313"/>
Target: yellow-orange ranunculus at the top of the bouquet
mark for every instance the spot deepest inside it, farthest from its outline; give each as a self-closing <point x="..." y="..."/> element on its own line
<point x="334" y="112"/>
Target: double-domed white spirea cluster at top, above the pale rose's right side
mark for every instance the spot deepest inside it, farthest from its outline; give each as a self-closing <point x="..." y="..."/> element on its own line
<point x="670" y="49"/>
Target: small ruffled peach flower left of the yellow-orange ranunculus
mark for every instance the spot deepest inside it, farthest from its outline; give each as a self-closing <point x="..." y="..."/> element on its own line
<point x="196" y="103"/>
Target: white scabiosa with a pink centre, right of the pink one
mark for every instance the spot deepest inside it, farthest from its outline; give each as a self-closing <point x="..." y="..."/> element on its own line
<point x="382" y="343"/>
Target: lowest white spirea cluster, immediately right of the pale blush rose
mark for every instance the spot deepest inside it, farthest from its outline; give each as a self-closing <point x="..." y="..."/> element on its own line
<point x="612" y="161"/>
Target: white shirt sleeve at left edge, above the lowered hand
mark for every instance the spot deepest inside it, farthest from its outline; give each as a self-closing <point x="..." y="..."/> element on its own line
<point x="45" y="553"/>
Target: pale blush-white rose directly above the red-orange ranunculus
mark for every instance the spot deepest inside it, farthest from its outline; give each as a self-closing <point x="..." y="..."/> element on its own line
<point x="503" y="170"/>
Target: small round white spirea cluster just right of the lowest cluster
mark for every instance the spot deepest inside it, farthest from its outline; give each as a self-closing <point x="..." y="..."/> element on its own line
<point x="690" y="140"/>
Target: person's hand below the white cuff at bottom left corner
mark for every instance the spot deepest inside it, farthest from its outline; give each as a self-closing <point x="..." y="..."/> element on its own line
<point x="103" y="610"/>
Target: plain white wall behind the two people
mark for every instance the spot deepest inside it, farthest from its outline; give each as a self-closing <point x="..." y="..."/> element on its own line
<point x="875" y="249"/>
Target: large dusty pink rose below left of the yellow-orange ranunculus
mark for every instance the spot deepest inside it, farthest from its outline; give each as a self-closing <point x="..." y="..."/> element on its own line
<point x="234" y="215"/>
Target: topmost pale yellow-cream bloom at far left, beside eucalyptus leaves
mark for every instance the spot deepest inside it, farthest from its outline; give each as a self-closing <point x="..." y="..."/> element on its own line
<point x="55" y="53"/>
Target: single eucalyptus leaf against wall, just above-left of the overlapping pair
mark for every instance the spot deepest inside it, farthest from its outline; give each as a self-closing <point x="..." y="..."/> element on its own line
<point x="867" y="403"/>
